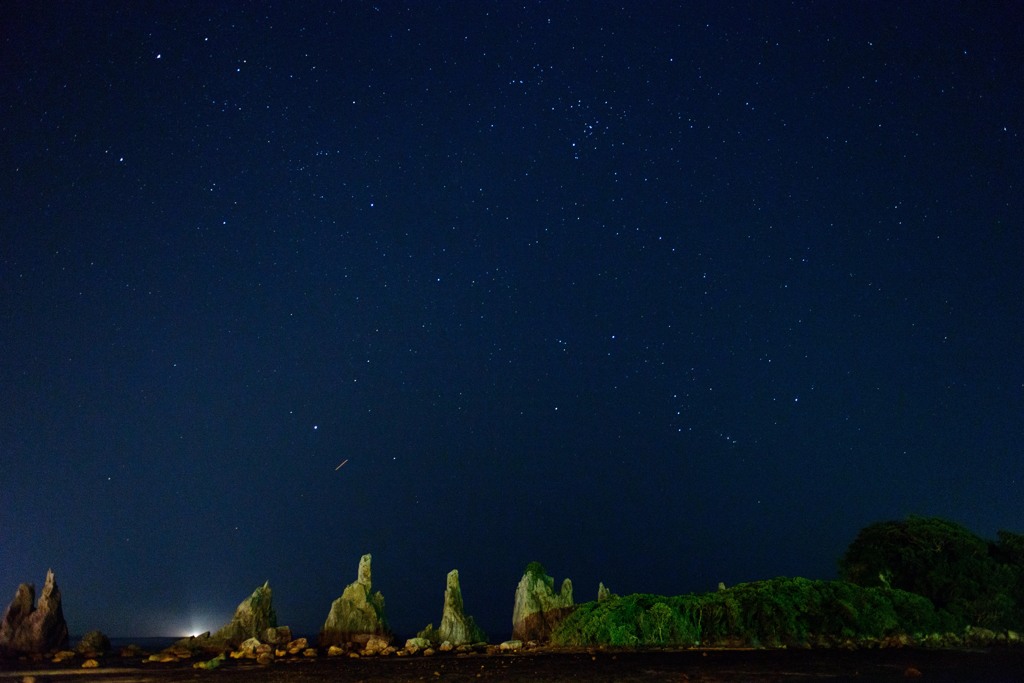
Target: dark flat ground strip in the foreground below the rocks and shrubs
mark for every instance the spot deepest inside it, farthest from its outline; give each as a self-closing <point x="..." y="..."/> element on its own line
<point x="732" y="666"/>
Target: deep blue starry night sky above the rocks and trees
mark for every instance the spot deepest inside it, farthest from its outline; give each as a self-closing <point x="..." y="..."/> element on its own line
<point x="659" y="296"/>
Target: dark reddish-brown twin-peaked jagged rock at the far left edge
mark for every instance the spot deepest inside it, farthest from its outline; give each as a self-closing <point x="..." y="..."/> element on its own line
<point x="30" y="628"/>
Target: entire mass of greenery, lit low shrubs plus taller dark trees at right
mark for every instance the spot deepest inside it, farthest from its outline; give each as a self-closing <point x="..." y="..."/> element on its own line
<point x="900" y="580"/>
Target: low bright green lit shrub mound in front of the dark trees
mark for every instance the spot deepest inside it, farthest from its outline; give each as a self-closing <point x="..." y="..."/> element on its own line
<point x="780" y="612"/>
